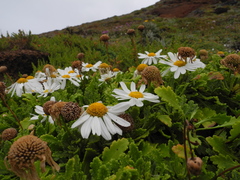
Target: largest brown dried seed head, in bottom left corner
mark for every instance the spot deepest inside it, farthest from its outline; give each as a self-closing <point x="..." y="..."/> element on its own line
<point x="24" y="152"/>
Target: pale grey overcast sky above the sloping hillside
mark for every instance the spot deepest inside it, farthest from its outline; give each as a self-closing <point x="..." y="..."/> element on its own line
<point x="40" y="16"/>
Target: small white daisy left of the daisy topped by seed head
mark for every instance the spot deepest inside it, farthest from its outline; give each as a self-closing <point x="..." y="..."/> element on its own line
<point x="151" y="58"/>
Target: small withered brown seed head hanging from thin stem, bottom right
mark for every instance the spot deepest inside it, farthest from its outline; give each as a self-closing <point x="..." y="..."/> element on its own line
<point x="194" y="165"/>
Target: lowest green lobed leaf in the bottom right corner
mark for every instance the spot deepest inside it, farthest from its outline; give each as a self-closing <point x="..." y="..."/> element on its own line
<point x="223" y="161"/>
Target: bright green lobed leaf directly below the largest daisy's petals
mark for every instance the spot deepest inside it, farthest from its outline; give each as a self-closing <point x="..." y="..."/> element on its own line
<point x="116" y="149"/>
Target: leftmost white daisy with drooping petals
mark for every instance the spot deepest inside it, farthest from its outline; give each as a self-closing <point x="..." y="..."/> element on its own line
<point x="24" y="85"/>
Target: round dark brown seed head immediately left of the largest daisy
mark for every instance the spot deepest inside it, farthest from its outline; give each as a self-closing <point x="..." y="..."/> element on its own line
<point x="71" y="111"/>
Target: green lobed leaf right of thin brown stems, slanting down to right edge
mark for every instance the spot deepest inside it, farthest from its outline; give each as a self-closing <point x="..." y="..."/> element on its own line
<point x="220" y="146"/>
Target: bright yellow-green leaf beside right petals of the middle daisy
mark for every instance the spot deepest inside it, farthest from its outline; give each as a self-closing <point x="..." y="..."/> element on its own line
<point x="168" y="95"/>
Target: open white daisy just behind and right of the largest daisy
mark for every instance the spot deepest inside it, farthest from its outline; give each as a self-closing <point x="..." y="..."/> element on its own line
<point x="135" y="97"/>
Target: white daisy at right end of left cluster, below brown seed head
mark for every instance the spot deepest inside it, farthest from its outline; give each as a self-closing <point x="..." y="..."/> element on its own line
<point x="68" y="74"/>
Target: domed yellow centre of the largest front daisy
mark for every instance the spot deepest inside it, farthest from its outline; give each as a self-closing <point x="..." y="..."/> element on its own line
<point x="97" y="109"/>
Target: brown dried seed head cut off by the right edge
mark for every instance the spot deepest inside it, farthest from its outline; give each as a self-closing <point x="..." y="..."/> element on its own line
<point x="232" y="62"/>
